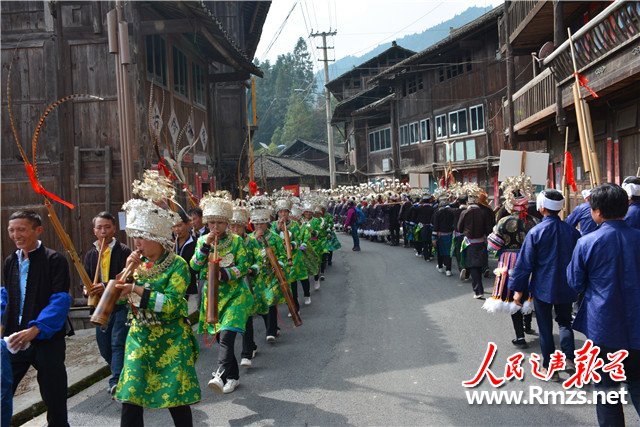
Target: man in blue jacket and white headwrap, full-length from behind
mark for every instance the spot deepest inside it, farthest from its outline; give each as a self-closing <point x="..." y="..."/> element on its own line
<point x="544" y="257"/>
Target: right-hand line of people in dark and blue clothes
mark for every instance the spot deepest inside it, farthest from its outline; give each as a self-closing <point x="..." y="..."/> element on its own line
<point x="588" y="277"/>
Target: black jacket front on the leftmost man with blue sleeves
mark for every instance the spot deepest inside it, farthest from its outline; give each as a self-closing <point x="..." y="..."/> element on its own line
<point x="48" y="274"/>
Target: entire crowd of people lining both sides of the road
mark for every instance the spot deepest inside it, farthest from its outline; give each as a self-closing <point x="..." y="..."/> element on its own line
<point x="255" y="253"/>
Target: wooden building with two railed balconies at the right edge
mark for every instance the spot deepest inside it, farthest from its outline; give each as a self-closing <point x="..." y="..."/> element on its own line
<point x="606" y="37"/>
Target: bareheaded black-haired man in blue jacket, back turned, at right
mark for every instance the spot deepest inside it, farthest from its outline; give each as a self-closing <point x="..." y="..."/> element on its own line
<point x="606" y="267"/>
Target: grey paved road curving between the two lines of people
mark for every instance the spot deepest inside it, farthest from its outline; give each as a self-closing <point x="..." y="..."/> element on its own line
<point x="387" y="341"/>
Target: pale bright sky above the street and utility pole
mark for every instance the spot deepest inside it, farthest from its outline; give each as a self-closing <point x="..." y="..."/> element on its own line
<point x="361" y="25"/>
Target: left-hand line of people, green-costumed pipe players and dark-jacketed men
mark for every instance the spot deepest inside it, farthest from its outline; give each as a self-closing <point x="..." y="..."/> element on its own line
<point x="148" y="341"/>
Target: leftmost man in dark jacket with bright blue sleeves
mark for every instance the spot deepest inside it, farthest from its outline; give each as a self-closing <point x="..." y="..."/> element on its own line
<point x="37" y="282"/>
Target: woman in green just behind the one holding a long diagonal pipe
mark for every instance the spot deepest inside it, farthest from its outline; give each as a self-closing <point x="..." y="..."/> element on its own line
<point x="299" y="237"/>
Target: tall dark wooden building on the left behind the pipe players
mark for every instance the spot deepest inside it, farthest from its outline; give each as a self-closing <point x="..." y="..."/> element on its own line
<point x="196" y="55"/>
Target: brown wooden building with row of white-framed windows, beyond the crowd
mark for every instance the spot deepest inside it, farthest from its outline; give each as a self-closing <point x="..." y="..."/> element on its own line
<point x="439" y="107"/>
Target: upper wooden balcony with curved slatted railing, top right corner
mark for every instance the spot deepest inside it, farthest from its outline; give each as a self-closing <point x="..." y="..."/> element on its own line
<point x="614" y="28"/>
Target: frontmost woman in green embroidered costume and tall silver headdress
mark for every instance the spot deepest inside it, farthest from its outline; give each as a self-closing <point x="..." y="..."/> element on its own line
<point x="161" y="349"/>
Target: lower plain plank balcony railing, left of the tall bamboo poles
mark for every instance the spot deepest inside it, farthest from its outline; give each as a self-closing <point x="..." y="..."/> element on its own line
<point x="534" y="101"/>
